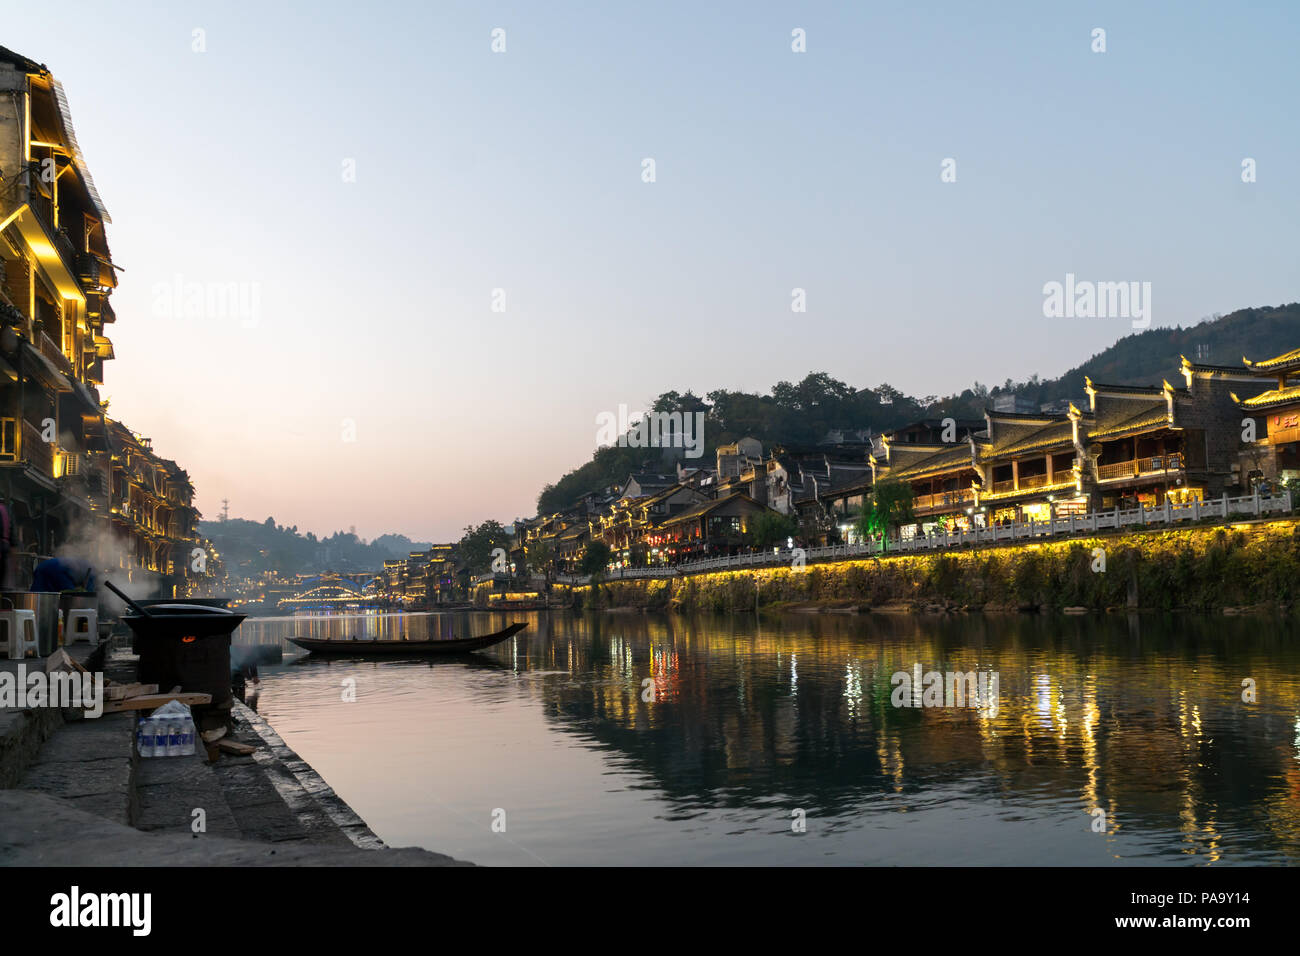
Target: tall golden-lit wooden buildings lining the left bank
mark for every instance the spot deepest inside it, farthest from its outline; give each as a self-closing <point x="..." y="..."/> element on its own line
<point x="70" y="475"/>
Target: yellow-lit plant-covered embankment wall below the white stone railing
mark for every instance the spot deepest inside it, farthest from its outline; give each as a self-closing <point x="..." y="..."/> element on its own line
<point x="1204" y="569"/>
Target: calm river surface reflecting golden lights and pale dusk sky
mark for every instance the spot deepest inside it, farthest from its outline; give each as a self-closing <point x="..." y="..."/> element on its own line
<point x="748" y="723"/>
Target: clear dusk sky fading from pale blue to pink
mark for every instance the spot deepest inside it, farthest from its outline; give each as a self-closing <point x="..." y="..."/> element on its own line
<point x="379" y="275"/>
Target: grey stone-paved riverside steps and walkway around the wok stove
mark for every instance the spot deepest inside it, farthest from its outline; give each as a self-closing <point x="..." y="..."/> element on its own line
<point x="77" y="794"/>
